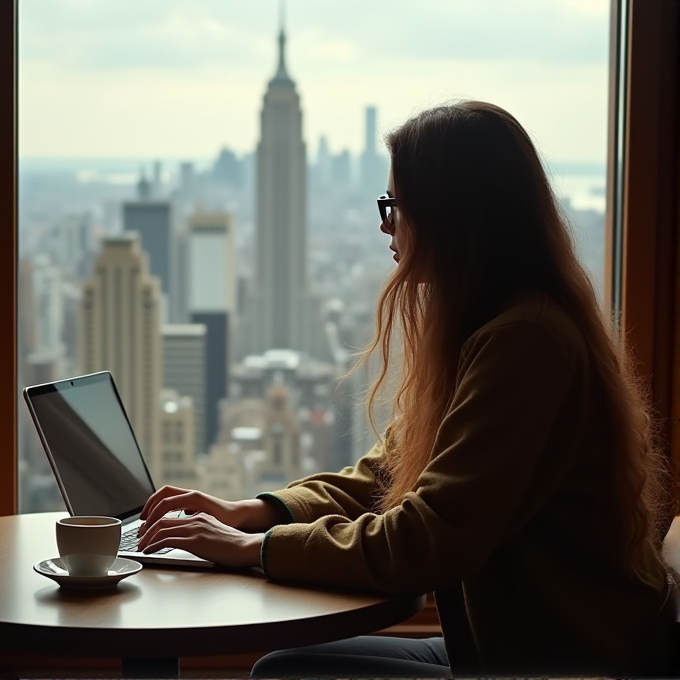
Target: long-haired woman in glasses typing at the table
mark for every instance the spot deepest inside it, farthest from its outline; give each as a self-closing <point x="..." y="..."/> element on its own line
<point x="517" y="479"/>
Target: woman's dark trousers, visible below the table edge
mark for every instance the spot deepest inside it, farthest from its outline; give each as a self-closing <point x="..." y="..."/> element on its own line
<point x="367" y="656"/>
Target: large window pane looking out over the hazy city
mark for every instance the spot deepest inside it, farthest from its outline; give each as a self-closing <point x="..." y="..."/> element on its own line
<point x="197" y="204"/>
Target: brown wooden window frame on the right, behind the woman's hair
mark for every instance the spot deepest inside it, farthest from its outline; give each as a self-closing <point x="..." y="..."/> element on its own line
<point x="643" y="288"/>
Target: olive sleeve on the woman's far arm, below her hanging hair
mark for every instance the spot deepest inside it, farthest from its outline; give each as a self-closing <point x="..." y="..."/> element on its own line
<point x="349" y="493"/>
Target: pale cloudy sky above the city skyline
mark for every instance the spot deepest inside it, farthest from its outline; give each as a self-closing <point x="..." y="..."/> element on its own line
<point x="185" y="78"/>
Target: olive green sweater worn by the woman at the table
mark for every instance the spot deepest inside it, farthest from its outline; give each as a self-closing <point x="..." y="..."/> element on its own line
<point x="509" y="506"/>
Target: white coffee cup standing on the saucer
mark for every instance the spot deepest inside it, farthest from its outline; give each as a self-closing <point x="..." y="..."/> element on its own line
<point x="88" y="545"/>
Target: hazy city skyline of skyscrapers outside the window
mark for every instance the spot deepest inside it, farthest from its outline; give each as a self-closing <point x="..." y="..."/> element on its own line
<point x="198" y="248"/>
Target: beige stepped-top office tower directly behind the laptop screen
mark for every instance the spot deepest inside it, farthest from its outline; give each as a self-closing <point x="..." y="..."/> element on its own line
<point x="120" y="332"/>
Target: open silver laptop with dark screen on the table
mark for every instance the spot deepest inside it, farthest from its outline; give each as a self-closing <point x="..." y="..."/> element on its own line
<point x="96" y="459"/>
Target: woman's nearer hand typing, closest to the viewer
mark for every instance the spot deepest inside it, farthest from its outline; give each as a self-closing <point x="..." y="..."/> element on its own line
<point x="204" y="536"/>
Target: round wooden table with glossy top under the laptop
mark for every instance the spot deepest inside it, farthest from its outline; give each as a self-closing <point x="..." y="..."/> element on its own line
<point x="160" y="614"/>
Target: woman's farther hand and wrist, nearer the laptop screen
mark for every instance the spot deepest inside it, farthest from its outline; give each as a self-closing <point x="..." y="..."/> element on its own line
<point x="248" y="515"/>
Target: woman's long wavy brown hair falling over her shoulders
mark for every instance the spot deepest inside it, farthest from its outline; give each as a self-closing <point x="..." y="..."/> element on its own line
<point x="481" y="223"/>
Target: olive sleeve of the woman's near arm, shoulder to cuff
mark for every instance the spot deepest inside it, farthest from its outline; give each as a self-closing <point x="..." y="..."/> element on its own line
<point x="513" y="385"/>
